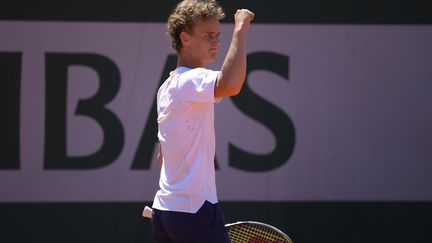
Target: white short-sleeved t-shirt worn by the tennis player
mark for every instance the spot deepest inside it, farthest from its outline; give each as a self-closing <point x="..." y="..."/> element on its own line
<point x="185" y="106"/>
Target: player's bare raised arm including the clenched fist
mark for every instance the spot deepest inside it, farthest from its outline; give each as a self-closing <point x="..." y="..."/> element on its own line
<point x="233" y="72"/>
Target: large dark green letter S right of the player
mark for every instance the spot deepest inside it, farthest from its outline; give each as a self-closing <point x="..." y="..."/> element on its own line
<point x="267" y="114"/>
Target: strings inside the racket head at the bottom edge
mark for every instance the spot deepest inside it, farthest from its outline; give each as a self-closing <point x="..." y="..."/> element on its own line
<point x="251" y="233"/>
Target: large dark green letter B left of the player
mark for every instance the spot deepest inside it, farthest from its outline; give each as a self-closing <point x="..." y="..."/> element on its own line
<point x="94" y="107"/>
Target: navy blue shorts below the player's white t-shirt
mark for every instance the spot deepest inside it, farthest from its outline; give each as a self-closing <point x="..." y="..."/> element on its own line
<point x="205" y="226"/>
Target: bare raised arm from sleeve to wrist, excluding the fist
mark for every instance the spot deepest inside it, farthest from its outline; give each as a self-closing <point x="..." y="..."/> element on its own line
<point x="233" y="72"/>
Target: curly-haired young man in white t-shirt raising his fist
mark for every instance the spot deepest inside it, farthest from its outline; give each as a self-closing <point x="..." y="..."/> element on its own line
<point x="185" y="208"/>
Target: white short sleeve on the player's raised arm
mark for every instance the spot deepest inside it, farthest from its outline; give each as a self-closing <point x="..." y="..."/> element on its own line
<point x="198" y="85"/>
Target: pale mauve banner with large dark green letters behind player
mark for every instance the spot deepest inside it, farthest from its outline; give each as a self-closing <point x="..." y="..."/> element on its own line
<point x="328" y="113"/>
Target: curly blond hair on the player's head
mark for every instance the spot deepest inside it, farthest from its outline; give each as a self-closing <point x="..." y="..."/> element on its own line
<point x="185" y="15"/>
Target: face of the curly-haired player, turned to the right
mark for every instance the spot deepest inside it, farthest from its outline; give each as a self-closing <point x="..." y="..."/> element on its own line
<point x="205" y="40"/>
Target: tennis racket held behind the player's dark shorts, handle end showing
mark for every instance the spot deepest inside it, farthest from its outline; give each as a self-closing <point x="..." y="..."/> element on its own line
<point x="247" y="231"/>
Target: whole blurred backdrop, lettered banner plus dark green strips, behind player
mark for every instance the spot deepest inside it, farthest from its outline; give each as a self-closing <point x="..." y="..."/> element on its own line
<point x="330" y="139"/>
